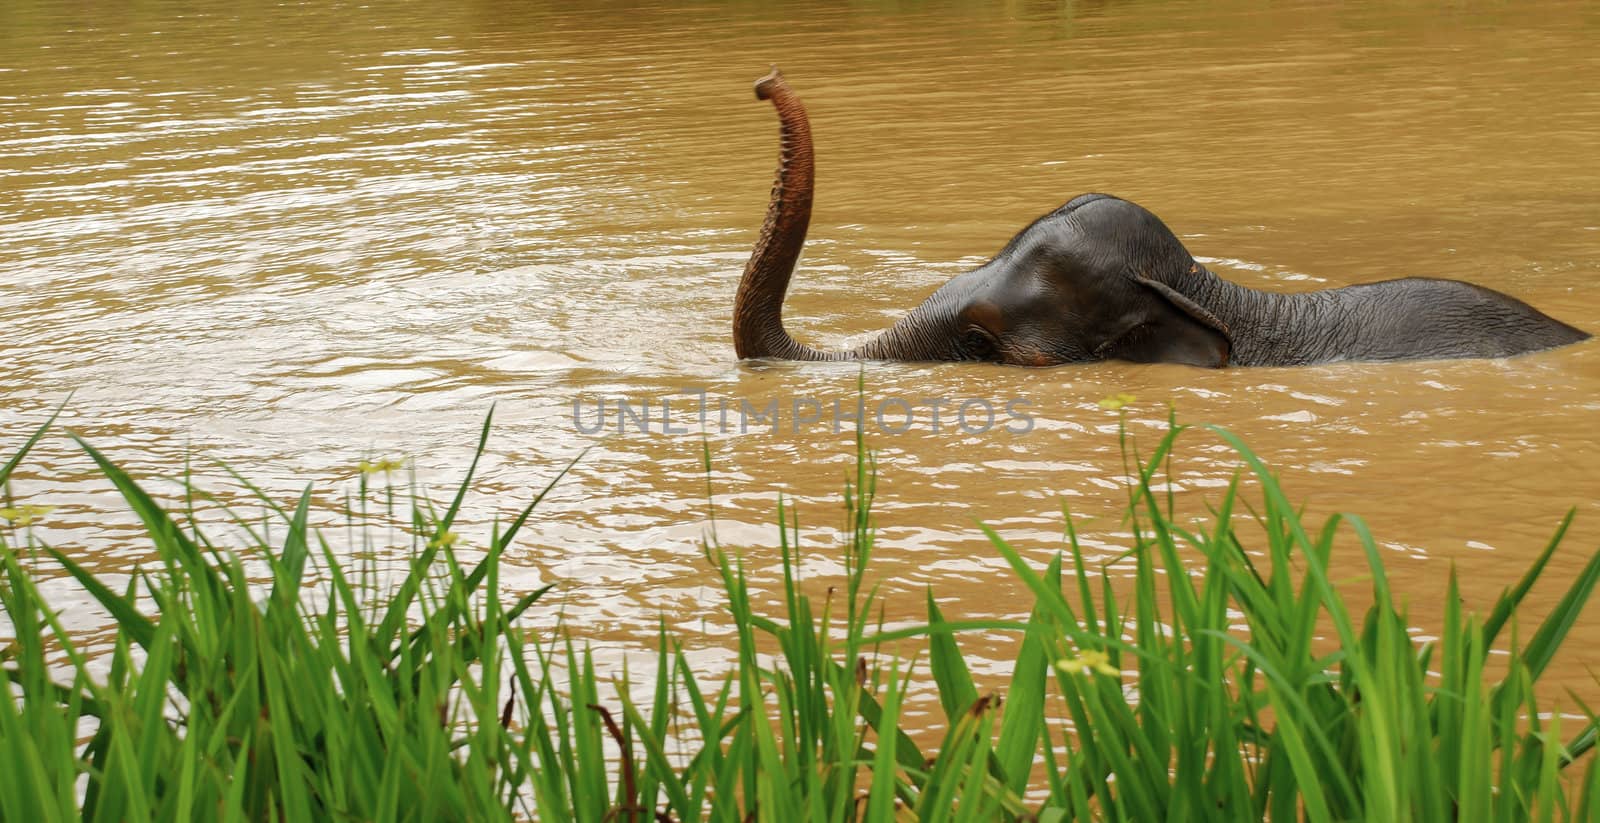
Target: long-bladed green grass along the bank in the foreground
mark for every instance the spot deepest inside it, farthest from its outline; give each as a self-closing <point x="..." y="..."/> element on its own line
<point x="233" y="699"/>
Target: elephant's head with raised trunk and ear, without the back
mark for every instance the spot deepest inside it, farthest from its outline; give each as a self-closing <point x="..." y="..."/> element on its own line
<point x="1090" y="281"/>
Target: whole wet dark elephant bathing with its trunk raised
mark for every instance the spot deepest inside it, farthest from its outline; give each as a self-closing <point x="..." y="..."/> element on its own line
<point x="1105" y="279"/>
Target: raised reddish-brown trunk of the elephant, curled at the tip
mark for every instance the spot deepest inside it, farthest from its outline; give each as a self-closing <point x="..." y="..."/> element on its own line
<point x="758" y="310"/>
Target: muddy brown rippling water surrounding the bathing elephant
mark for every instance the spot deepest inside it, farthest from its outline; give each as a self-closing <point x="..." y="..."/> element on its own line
<point x="295" y="236"/>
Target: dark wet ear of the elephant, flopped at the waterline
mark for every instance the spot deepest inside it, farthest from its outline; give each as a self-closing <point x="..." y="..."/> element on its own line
<point x="1170" y="329"/>
